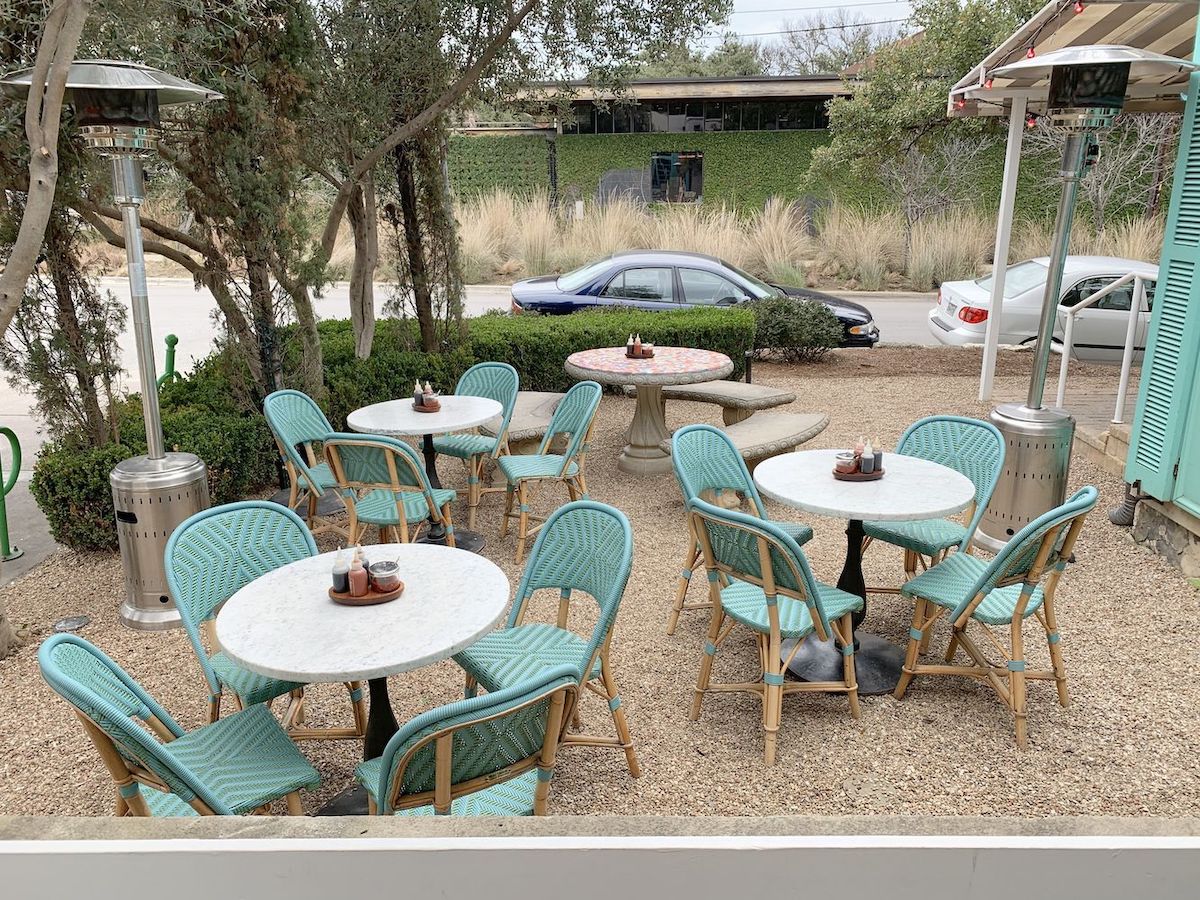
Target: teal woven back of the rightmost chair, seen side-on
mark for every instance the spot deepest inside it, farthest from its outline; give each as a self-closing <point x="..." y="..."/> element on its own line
<point x="1040" y="549"/>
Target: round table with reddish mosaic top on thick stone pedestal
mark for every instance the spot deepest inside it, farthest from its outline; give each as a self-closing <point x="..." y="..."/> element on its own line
<point x="645" y="454"/>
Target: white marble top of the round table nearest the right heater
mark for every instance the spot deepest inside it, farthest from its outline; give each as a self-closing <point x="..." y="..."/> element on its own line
<point x="910" y="488"/>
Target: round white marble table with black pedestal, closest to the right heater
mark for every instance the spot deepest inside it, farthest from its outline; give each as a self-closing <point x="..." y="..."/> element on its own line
<point x="910" y="489"/>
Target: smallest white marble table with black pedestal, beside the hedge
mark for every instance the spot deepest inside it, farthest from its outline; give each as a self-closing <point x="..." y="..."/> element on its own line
<point x="397" y="418"/>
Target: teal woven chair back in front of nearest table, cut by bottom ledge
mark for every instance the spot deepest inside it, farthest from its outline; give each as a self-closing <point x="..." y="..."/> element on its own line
<point x="489" y="739"/>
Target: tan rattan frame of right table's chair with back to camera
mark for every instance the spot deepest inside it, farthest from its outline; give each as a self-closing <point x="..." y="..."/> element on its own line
<point x="770" y="687"/>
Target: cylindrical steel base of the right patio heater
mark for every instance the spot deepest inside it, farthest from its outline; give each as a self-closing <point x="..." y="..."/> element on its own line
<point x="1037" y="461"/>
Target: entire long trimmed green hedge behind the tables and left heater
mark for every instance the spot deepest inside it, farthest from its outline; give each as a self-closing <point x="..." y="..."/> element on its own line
<point x="202" y="413"/>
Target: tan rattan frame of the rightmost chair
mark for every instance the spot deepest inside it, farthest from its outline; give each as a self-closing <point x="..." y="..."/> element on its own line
<point x="1009" y="679"/>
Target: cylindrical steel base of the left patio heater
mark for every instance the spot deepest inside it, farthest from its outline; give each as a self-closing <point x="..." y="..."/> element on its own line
<point x="152" y="497"/>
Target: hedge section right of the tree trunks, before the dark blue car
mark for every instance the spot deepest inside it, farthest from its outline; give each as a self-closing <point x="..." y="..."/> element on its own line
<point x="538" y="346"/>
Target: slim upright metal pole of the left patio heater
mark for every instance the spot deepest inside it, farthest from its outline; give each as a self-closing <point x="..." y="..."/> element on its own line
<point x="128" y="193"/>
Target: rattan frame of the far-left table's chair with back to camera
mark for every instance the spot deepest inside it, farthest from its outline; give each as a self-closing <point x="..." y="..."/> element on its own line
<point x="399" y="457"/>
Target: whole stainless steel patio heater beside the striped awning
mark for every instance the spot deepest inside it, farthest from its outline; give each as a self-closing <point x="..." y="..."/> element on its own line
<point x="1087" y="93"/>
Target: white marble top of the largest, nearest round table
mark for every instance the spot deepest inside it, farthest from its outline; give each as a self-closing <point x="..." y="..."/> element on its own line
<point x="285" y="626"/>
